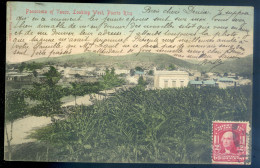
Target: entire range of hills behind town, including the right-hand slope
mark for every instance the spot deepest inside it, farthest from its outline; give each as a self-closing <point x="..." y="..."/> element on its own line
<point x="149" y="60"/>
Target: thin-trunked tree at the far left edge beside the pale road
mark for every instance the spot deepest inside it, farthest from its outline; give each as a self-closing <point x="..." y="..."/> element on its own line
<point x="16" y="108"/>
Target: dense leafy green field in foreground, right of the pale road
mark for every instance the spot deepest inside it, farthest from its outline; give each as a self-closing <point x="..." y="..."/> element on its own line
<point x="169" y="126"/>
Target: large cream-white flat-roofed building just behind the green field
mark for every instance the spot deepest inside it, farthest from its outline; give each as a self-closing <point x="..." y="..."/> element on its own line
<point x="170" y="79"/>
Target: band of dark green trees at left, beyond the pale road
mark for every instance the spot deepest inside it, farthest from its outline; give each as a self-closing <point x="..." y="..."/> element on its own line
<point x="44" y="97"/>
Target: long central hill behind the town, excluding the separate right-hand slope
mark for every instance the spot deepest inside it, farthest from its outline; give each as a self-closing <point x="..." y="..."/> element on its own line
<point x="147" y="60"/>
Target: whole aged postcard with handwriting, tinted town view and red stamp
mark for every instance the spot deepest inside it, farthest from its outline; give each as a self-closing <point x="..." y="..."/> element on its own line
<point x="128" y="83"/>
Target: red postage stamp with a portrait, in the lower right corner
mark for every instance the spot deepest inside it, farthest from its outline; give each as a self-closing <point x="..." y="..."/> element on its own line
<point x="230" y="142"/>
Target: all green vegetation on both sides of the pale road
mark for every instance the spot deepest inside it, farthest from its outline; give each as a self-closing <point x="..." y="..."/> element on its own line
<point x="167" y="126"/>
